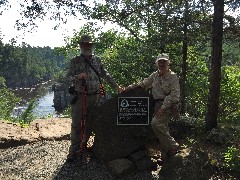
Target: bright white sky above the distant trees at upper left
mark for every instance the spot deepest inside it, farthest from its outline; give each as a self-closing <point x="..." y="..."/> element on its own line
<point x="44" y="35"/>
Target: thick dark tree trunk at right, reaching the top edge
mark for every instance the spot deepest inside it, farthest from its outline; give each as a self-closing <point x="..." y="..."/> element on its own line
<point x="215" y="74"/>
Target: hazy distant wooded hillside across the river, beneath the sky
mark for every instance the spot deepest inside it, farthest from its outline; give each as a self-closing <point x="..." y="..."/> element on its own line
<point x="24" y="66"/>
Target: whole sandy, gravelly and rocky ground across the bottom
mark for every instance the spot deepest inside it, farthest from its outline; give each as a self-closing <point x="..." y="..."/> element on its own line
<point x="39" y="152"/>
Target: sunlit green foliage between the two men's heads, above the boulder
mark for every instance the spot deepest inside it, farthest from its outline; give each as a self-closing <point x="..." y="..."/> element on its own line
<point x="121" y="55"/>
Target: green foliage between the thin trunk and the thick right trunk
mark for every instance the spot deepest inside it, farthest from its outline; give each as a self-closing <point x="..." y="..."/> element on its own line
<point x="196" y="84"/>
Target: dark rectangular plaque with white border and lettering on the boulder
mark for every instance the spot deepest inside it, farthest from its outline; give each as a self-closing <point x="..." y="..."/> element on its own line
<point x="133" y="111"/>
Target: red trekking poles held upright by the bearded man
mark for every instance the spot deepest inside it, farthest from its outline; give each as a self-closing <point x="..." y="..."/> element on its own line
<point x="83" y="133"/>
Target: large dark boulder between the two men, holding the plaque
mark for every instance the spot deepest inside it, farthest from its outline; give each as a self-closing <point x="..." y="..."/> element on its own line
<point x="114" y="141"/>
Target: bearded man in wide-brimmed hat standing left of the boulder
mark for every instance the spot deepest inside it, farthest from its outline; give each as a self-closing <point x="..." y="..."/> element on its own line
<point x="87" y="68"/>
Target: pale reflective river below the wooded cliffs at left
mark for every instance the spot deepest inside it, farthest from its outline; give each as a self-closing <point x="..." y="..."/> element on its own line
<point x="44" y="97"/>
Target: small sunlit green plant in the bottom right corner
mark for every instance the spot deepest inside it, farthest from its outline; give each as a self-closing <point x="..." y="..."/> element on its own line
<point x="232" y="158"/>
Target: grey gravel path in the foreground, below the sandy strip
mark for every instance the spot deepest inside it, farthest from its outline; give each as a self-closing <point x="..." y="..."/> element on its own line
<point x="46" y="160"/>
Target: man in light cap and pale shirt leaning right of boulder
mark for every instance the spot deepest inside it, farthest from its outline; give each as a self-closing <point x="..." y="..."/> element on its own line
<point x="166" y="93"/>
